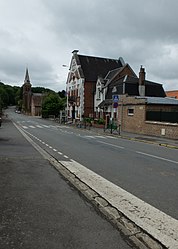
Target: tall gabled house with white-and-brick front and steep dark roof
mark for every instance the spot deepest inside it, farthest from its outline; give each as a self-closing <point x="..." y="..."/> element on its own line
<point x="81" y="83"/>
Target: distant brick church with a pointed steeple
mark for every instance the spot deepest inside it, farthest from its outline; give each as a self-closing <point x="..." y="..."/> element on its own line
<point x="32" y="102"/>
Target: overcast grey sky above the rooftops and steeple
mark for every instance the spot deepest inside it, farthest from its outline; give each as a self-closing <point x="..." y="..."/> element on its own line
<point x="41" y="35"/>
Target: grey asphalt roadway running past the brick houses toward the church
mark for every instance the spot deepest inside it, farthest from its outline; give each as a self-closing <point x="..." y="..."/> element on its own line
<point x="148" y="171"/>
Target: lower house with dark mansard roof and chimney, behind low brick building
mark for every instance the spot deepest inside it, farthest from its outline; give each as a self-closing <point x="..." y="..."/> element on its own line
<point x="123" y="82"/>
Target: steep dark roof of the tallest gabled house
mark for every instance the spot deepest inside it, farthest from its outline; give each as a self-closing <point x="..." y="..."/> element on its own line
<point x="93" y="67"/>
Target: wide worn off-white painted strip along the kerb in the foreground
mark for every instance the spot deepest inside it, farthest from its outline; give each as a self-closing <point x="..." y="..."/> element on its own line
<point x="157" y="223"/>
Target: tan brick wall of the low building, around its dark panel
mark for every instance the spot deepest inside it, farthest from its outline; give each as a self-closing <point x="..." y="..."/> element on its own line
<point x="135" y="121"/>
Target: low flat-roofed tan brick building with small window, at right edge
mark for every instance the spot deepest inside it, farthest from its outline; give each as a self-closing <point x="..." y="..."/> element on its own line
<point x="156" y="116"/>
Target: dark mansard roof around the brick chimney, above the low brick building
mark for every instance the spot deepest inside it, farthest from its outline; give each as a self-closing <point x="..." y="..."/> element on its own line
<point x="130" y="85"/>
